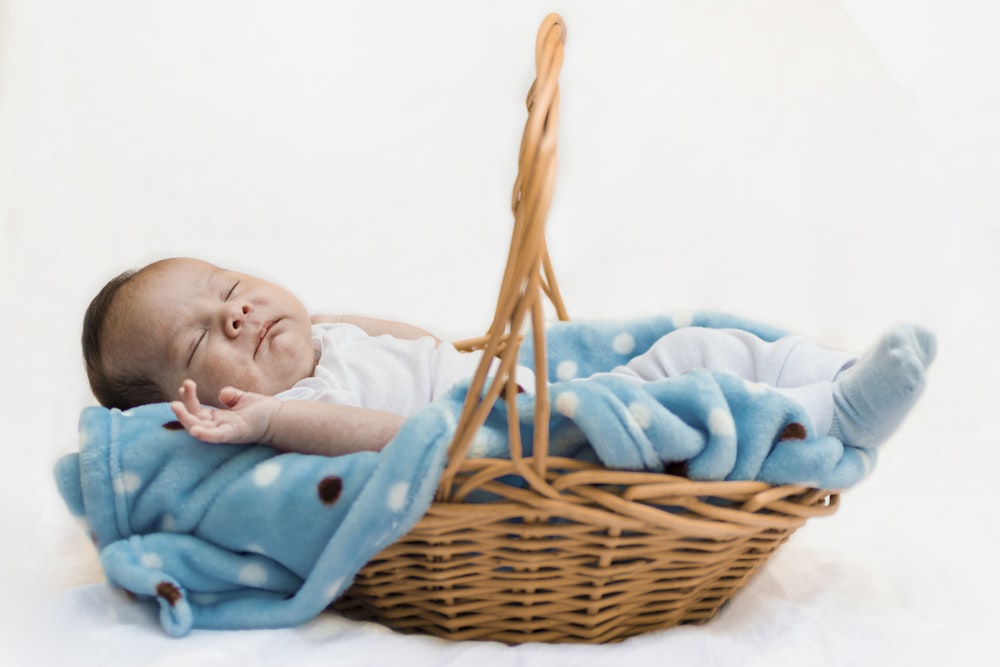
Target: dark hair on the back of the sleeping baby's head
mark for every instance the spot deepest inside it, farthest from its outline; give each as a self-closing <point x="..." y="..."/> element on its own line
<point x="121" y="391"/>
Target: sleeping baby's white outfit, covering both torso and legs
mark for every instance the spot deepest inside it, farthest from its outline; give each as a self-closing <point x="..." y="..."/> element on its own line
<point x="402" y="375"/>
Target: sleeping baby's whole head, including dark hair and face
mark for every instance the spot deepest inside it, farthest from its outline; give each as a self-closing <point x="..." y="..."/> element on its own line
<point x="148" y="330"/>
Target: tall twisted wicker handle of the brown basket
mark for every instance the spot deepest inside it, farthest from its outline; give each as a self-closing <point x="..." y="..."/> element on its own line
<point x="527" y="276"/>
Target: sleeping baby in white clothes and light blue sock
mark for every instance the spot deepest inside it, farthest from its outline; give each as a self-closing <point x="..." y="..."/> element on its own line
<point x="249" y="364"/>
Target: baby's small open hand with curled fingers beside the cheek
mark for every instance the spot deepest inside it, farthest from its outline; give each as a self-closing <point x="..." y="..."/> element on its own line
<point x="245" y="419"/>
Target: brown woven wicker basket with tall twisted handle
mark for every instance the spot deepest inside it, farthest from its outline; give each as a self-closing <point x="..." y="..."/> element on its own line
<point x="583" y="553"/>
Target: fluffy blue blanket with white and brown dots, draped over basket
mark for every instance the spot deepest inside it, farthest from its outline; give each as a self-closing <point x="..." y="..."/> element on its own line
<point x="232" y="537"/>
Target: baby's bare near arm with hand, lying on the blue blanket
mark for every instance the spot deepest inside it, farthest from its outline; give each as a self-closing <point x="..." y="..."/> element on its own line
<point x="307" y="427"/>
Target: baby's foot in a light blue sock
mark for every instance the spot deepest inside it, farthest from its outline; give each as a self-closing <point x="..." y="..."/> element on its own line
<point x="872" y="397"/>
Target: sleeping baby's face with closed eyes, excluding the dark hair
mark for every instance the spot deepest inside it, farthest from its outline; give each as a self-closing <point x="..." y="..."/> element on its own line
<point x="186" y="318"/>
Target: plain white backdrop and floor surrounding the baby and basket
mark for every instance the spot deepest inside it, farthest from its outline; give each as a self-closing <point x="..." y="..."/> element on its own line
<point x="831" y="167"/>
